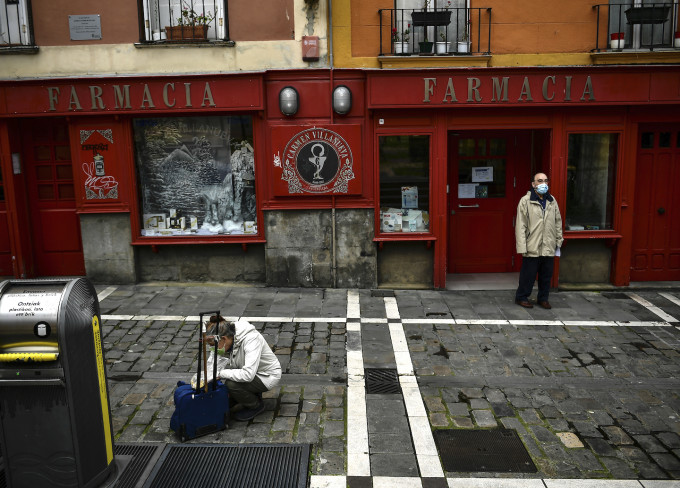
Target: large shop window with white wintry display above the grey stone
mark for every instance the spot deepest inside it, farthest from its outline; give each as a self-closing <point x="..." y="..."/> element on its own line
<point x="196" y="175"/>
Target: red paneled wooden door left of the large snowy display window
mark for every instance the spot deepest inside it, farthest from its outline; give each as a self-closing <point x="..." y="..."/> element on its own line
<point x="54" y="224"/>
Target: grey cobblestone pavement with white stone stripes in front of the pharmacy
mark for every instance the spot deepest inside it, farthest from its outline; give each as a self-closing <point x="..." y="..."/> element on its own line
<point x="591" y="386"/>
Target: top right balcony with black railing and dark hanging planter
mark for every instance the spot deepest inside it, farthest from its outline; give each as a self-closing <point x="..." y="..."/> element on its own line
<point x="638" y="27"/>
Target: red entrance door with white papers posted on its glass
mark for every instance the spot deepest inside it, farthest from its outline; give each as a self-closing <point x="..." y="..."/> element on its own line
<point x="488" y="173"/>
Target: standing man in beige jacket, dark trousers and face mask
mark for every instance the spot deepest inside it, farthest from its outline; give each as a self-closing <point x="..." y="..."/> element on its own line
<point x="538" y="236"/>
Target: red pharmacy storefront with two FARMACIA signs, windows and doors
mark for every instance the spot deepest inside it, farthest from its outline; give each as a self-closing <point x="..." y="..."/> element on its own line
<point x="424" y="173"/>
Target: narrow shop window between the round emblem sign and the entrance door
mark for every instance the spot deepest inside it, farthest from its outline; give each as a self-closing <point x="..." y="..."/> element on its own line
<point x="404" y="183"/>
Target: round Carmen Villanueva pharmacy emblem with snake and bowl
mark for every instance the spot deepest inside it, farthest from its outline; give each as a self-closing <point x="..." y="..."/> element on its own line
<point x="317" y="160"/>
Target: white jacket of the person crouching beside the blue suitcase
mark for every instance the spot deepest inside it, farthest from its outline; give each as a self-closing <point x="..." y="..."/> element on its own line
<point x="250" y="356"/>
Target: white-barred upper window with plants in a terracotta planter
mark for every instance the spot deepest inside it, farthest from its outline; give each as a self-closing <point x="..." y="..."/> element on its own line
<point x="186" y="21"/>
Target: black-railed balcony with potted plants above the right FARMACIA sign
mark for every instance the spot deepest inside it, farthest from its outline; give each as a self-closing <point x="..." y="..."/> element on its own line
<point x="448" y="31"/>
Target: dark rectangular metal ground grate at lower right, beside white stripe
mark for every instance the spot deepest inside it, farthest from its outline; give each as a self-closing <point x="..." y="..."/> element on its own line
<point x="469" y="451"/>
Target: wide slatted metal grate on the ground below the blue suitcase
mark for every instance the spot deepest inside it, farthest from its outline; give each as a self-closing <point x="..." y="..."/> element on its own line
<point x="251" y="465"/>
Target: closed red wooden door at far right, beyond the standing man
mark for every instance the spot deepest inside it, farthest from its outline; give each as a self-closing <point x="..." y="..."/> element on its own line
<point x="656" y="236"/>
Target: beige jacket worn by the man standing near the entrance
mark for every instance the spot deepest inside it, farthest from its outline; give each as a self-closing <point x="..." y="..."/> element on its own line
<point x="538" y="232"/>
